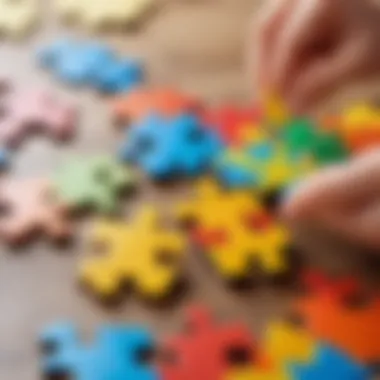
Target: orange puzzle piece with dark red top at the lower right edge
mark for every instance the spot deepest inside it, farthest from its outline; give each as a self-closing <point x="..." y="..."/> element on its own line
<point x="354" y="329"/>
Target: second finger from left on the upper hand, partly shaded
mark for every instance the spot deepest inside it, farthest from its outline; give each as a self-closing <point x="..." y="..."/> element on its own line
<point x="302" y="28"/>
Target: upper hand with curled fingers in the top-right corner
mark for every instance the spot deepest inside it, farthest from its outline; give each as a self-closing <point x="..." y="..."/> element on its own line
<point x="308" y="49"/>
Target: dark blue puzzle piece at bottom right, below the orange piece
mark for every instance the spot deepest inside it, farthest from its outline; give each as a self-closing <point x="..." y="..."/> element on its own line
<point x="330" y="364"/>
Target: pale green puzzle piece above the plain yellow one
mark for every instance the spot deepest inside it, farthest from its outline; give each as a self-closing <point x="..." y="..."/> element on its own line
<point x="92" y="183"/>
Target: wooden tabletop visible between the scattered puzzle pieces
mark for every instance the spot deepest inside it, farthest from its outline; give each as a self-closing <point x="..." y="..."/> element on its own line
<point x="195" y="45"/>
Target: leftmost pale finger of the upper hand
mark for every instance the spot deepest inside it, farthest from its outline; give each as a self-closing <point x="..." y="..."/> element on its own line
<point x="268" y="25"/>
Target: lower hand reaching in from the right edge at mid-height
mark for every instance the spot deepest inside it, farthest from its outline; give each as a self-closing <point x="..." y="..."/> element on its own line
<point x="342" y="199"/>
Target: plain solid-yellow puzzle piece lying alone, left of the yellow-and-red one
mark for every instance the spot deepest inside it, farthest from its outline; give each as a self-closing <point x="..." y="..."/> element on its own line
<point x="141" y="252"/>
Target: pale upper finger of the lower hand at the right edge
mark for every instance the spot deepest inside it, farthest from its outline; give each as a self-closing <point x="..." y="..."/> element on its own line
<point x="337" y="188"/>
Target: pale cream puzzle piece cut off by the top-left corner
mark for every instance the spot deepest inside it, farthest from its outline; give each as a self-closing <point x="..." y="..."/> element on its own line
<point x="18" y="17"/>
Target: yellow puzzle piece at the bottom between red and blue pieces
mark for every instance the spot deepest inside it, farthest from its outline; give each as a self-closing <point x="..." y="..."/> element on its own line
<point x="282" y="344"/>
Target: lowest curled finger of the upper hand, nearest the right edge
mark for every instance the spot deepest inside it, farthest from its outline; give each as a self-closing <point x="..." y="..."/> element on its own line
<point x="324" y="77"/>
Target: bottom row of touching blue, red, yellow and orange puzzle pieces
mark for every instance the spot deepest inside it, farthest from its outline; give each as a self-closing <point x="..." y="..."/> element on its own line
<point x="326" y="338"/>
